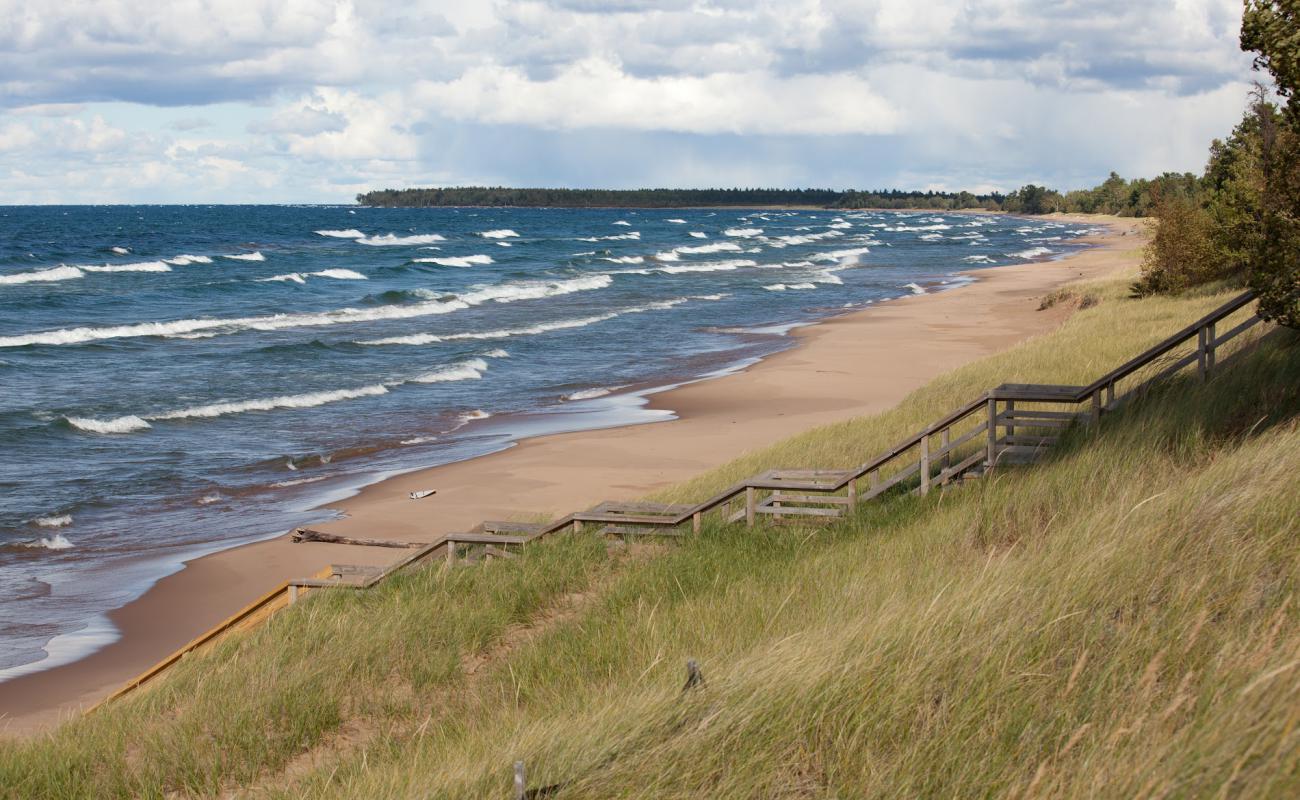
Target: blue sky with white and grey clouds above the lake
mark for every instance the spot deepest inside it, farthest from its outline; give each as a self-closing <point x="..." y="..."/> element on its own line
<point x="315" y="101"/>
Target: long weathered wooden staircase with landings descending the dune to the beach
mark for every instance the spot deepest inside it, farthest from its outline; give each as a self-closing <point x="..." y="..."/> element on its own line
<point x="961" y="443"/>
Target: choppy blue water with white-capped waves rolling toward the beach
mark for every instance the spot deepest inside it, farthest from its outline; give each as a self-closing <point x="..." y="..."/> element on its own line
<point x="181" y="379"/>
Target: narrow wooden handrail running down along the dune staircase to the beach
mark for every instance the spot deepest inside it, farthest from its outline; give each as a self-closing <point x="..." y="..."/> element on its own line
<point x="747" y="488"/>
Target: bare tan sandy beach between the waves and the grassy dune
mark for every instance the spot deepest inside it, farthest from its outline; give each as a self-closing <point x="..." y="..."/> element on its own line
<point x="840" y="367"/>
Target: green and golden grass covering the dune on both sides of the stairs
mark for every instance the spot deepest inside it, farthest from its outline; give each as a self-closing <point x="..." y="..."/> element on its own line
<point x="1119" y="621"/>
